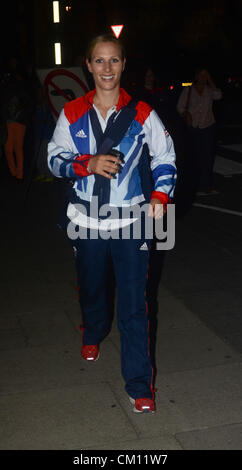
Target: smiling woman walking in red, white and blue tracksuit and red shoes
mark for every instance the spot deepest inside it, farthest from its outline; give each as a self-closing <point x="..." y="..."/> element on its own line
<point x="76" y="151"/>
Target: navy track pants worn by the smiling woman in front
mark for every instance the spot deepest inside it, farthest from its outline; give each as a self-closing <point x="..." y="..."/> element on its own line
<point x="130" y="264"/>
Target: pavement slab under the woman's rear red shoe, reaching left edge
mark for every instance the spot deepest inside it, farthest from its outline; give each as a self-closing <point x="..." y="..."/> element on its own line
<point x="53" y="367"/>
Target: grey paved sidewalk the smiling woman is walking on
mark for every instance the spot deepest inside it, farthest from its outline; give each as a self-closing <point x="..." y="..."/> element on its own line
<point x="51" y="399"/>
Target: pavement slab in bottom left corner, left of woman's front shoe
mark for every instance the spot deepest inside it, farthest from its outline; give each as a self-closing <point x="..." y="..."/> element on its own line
<point x="68" y="418"/>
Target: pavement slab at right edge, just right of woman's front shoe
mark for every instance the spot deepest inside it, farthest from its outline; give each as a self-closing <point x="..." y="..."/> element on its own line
<point x="207" y="397"/>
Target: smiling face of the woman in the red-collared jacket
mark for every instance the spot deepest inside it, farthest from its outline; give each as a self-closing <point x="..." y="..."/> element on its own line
<point x="106" y="65"/>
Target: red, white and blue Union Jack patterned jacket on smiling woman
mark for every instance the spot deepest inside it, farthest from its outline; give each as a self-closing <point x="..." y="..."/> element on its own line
<point x="73" y="144"/>
